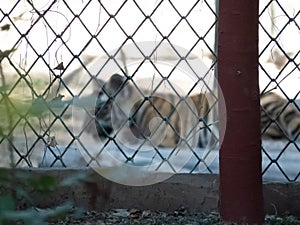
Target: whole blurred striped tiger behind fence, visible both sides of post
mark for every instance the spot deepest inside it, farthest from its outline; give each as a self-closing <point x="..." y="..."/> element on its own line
<point x="120" y="101"/>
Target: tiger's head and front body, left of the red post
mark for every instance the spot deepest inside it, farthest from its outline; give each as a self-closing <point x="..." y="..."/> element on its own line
<point x="161" y="120"/>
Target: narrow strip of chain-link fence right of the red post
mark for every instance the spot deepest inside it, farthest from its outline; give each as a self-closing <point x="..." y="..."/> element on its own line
<point x="279" y="72"/>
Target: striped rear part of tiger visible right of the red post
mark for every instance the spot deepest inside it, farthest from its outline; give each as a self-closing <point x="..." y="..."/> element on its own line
<point x="280" y="119"/>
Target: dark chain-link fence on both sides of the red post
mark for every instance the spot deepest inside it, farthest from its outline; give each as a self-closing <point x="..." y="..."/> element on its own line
<point x="57" y="56"/>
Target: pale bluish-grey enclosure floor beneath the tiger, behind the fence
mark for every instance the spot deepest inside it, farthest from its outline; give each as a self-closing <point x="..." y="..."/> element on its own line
<point x="284" y="168"/>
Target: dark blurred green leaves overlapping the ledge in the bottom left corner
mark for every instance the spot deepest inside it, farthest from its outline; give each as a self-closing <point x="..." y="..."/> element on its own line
<point x="17" y="205"/>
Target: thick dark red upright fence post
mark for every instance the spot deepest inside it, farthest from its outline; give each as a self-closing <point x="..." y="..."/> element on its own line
<point x="241" y="197"/>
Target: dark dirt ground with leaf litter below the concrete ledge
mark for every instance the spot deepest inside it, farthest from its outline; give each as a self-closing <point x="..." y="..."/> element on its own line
<point x="147" y="217"/>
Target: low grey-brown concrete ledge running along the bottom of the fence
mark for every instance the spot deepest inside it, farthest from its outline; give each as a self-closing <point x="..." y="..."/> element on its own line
<point x="196" y="192"/>
